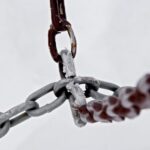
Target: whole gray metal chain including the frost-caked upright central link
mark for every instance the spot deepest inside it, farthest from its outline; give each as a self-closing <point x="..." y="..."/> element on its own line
<point x="66" y="88"/>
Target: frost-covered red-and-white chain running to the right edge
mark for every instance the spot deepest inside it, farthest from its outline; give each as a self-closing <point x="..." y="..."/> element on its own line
<point x="126" y="102"/>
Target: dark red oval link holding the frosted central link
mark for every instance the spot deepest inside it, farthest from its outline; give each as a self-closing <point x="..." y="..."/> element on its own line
<point x="52" y="42"/>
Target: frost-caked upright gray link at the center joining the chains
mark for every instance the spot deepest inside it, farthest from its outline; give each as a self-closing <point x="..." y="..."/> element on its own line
<point x="75" y="94"/>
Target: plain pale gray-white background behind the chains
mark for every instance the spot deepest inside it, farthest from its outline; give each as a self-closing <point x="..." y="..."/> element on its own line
<point x="113" y="45"/>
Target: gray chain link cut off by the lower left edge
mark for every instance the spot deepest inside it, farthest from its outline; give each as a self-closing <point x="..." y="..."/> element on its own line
<point x="4" y="128"/>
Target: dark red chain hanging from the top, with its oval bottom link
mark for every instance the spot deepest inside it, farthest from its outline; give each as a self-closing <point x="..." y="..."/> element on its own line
<point x="59" y="24"/>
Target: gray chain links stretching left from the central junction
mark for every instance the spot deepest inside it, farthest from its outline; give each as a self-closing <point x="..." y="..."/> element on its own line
<point x="30" y="108"/>
